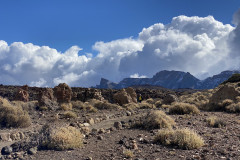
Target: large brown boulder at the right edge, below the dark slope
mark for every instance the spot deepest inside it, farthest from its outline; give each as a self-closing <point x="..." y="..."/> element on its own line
<point x="227" y="91"/>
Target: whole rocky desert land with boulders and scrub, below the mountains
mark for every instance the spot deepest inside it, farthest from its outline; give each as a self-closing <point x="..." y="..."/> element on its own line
<point x="108" y="121"/>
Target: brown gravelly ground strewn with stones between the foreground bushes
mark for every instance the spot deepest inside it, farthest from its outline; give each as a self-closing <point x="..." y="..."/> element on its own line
<point x="109" y="134"/>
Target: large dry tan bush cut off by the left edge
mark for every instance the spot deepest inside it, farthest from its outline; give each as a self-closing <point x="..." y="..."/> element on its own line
<point x="13" y="116"/>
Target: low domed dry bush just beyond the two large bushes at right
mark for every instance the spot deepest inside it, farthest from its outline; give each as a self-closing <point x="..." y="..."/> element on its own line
<point x="183" y="108"/>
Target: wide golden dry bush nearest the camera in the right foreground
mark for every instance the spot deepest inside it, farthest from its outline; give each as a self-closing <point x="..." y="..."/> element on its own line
<point x="182" y="138"/>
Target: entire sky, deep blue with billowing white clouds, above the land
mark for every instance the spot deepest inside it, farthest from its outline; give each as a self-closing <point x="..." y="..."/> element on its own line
<point x="43" y="43"/>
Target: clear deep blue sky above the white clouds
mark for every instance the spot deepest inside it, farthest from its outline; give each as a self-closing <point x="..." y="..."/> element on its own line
<point x="61" y="24"/>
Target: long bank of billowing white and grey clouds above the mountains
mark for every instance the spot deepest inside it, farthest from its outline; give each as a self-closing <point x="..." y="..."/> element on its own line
<point x="201" y="46"/>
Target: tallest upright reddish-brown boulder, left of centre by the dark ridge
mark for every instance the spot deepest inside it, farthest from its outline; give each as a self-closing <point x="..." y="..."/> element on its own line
<point x="63" y="93"/>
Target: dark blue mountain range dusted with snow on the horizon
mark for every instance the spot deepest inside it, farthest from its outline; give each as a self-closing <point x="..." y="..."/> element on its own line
<point x="171" y="80"/>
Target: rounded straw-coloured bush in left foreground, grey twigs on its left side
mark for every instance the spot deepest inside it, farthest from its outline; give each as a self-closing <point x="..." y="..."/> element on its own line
<point x="62" y="138"/>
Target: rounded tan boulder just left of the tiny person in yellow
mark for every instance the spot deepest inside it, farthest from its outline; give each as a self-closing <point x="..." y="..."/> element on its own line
<point x="125" y="96"/>
